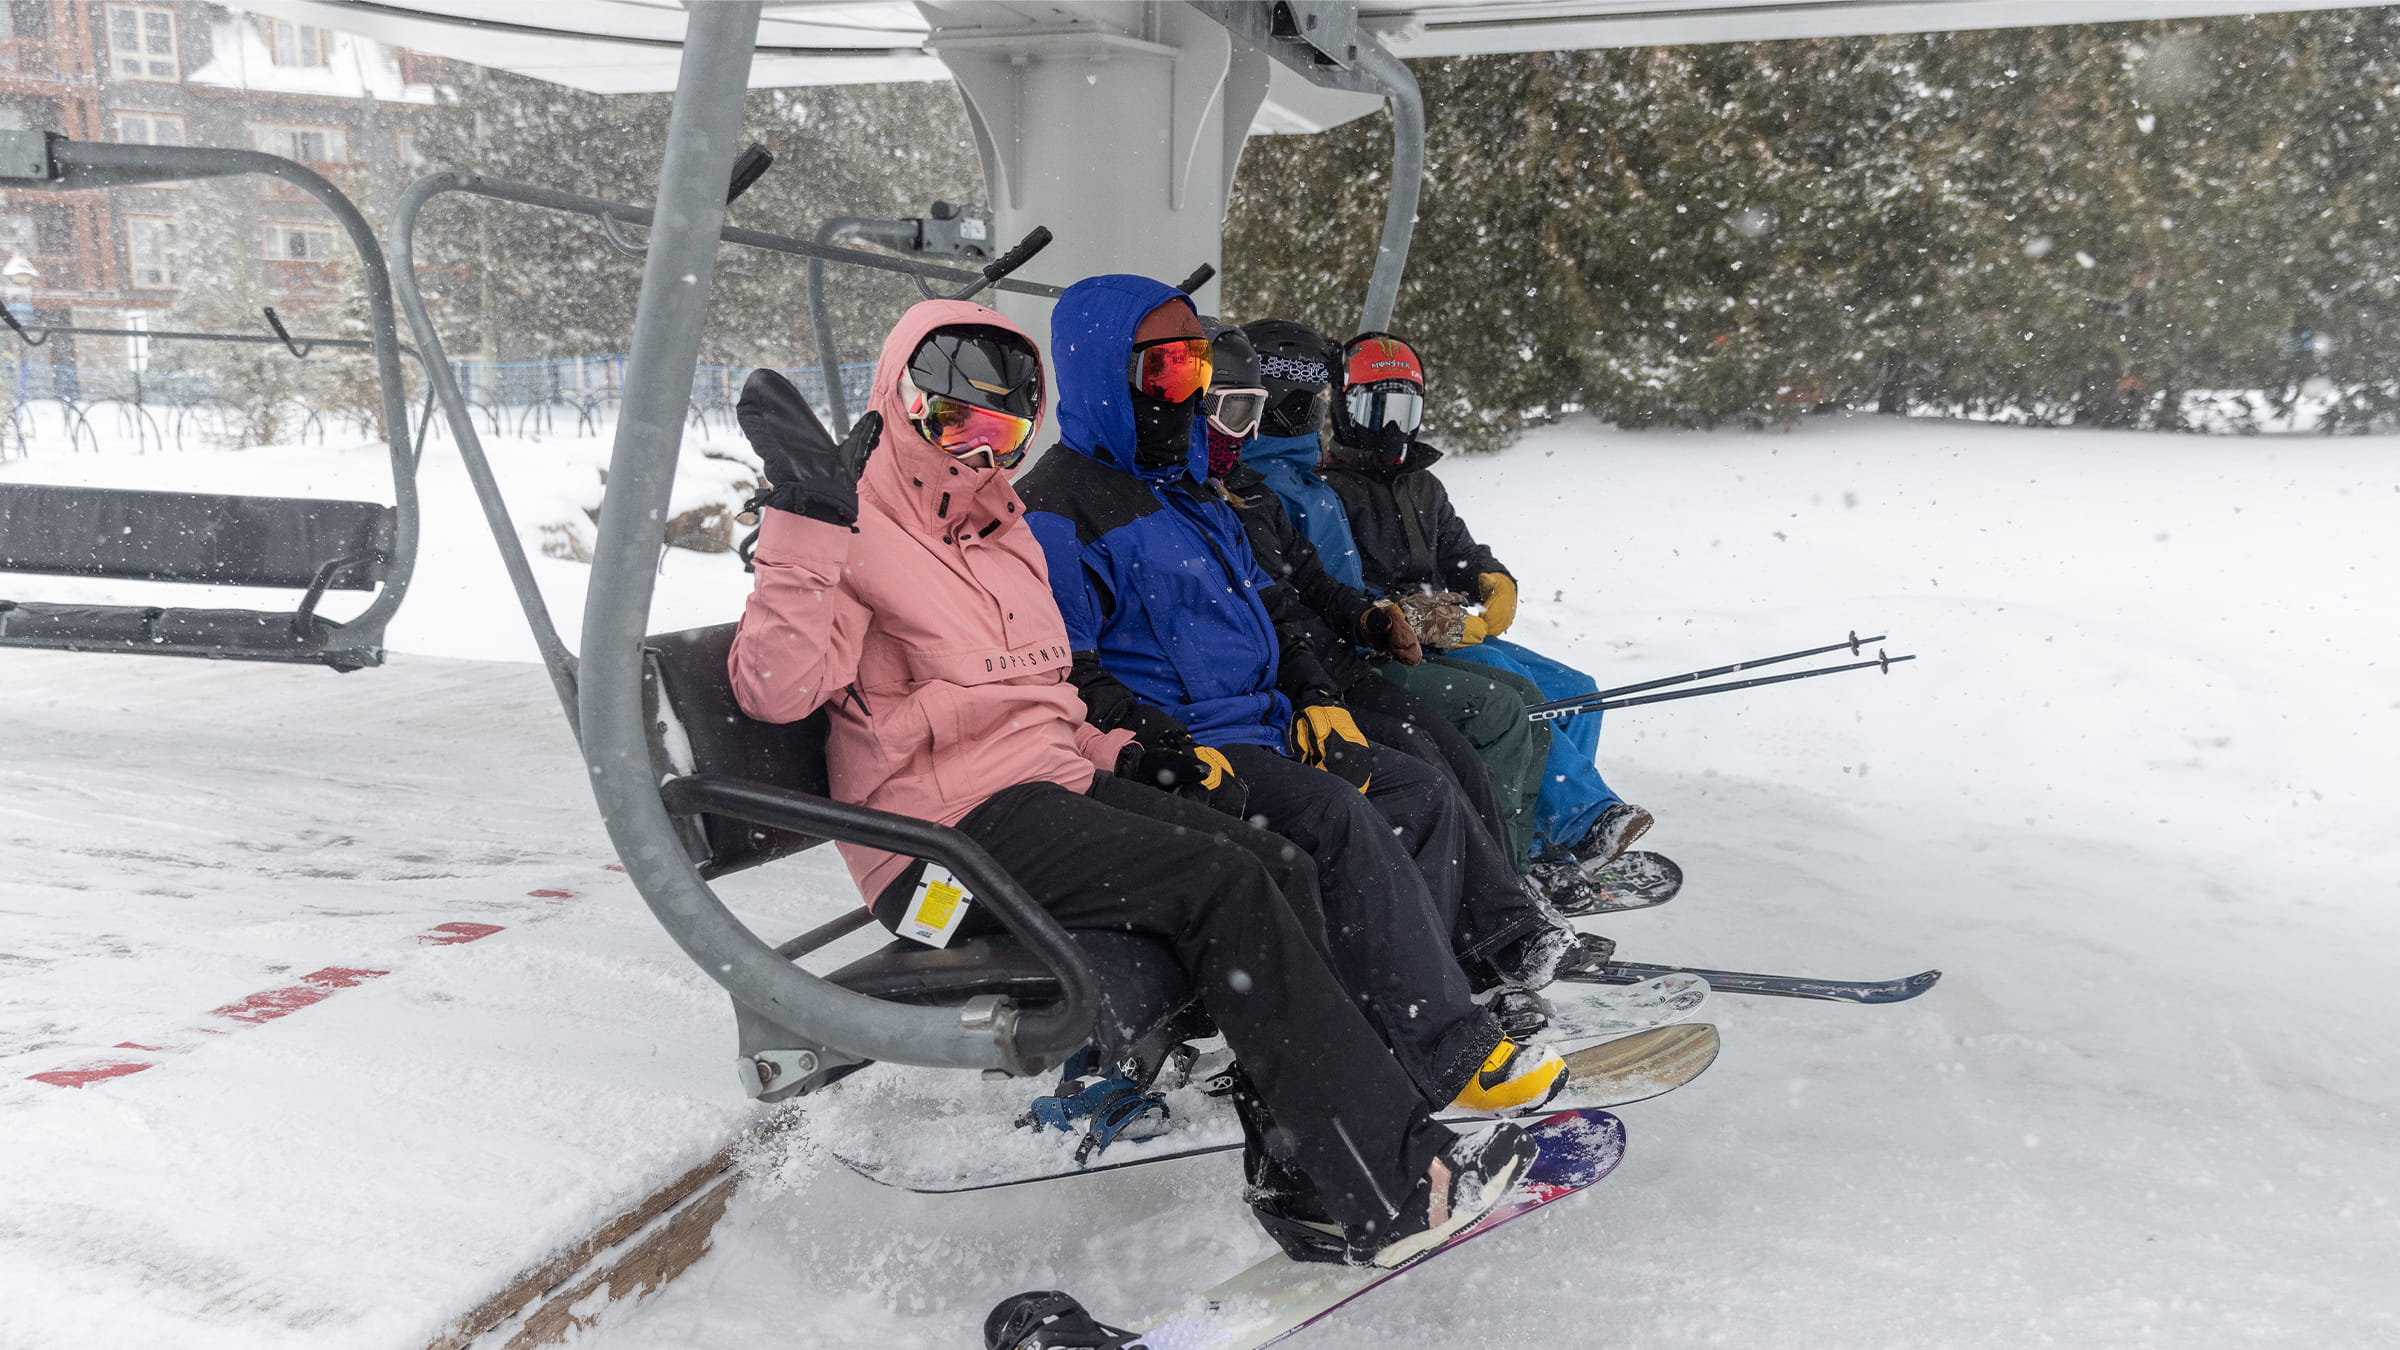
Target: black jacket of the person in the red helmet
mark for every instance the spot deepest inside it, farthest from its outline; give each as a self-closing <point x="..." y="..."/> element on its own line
<point x="1410" y="539"/>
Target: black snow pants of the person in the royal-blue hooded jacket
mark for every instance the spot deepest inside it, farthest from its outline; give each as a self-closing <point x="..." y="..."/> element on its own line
<point x="1393" y="871"/>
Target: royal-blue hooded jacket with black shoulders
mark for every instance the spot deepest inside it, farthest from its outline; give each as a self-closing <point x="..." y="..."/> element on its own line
<point x="1153" y="573"/>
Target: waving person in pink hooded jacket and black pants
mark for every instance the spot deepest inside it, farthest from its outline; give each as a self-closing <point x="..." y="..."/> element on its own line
<point x="899" y="587"/>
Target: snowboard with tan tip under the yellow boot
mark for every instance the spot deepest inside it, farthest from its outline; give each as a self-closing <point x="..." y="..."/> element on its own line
<point x="1609" y="1075"/>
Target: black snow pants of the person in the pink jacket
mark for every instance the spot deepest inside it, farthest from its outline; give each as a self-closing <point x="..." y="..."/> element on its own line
<point x="1129" y="859"/>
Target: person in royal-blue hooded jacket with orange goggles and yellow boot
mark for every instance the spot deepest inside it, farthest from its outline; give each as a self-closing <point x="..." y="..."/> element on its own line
<point x="1175" y="635"/>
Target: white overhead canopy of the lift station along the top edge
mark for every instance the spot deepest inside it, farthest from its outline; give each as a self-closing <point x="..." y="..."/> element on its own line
<point x="625" y="47"/>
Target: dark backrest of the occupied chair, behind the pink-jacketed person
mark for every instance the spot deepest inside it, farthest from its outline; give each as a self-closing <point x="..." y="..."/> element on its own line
<point x="697" y="727"/>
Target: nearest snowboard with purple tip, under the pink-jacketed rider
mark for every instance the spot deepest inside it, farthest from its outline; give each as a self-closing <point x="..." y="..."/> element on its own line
<point x="1280" y="1296"/>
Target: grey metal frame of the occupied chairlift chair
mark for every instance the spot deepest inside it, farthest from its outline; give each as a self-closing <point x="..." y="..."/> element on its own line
<point x="606" y="688"/>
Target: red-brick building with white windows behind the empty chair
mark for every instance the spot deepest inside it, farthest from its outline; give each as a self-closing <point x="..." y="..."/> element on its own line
<point x="184" y="73"/>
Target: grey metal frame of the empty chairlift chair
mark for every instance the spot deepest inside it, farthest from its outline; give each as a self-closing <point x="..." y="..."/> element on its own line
<point x="52" y="162"/>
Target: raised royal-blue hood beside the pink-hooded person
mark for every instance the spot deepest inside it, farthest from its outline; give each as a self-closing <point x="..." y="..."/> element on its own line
<point x="1091" y="345"/>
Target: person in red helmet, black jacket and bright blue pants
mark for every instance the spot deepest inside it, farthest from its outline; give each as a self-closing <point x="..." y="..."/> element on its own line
<point x="1410" y="539"/>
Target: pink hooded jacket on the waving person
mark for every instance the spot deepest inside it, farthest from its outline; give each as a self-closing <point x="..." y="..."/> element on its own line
<point x="932" y="631"/>
